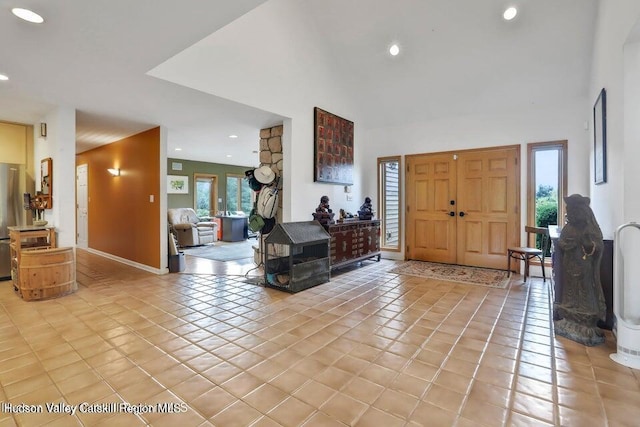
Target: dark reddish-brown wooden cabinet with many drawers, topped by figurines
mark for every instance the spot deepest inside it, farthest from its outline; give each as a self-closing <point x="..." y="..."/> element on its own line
<point x="354" y="241"/>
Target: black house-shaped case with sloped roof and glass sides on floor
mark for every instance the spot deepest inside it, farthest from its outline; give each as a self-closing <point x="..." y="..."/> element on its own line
<point x="297" y="256"/>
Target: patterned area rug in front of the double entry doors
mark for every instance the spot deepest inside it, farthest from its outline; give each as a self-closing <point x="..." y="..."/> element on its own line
<point x="454" y="273"/>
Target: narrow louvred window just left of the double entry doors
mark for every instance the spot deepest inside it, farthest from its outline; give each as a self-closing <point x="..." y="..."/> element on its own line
<point x="389" y="211"/>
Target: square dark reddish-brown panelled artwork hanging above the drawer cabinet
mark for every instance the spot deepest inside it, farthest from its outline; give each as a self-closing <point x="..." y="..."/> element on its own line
<point x="333" y="148"/>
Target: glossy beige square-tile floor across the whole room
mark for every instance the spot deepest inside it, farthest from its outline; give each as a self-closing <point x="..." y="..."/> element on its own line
<point x="369" y="348"/>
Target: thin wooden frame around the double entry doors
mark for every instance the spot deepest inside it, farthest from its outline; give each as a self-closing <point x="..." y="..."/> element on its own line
<point x="518" y="176"/>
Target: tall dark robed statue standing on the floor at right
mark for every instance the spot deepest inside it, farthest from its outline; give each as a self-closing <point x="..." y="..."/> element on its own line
<point x="582" y="302"/>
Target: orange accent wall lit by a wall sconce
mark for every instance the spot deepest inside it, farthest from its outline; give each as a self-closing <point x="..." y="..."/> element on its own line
<point x="122" y="221"/>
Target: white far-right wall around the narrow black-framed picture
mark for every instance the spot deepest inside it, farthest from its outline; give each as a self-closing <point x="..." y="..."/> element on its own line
<point x="615" y="20"/>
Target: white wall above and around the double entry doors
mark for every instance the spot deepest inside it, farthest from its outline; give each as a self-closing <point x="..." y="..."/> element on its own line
<point x="514" y="128"/>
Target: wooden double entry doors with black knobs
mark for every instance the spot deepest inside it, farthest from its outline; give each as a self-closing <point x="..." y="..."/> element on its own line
<point x="463" y="207"/>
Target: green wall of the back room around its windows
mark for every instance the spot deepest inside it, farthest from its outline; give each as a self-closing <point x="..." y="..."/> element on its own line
<point x="189" y="168"/>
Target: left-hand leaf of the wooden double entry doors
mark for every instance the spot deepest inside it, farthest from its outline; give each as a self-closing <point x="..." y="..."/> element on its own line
<point x="431" y="233"/>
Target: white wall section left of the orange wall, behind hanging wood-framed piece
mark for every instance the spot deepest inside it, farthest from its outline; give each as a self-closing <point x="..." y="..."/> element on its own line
<point x="60" y="145"/>
